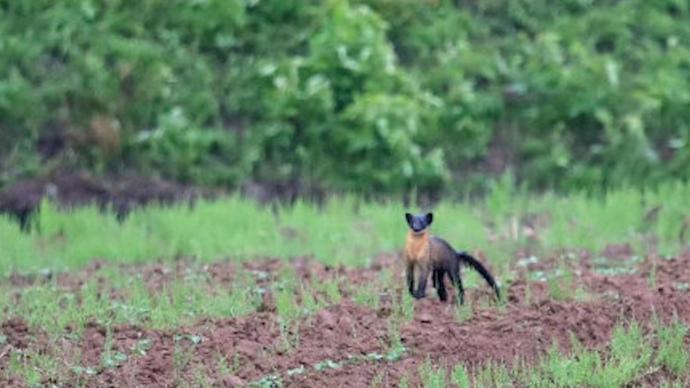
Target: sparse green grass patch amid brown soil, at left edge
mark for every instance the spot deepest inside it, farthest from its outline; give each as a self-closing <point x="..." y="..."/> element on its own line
<point x="54" y="309"/>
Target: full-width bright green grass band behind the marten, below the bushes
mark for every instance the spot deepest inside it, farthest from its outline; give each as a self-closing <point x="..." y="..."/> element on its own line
<point x="345" y="230"/>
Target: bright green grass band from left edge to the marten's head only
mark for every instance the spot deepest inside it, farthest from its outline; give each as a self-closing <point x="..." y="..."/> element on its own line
<point x="230" y="227"/>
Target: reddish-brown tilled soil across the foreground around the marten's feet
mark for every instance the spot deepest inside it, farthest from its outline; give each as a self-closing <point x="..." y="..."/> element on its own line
<point x="252" y="347"/>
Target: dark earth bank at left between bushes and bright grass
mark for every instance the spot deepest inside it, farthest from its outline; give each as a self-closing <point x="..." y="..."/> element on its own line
<point x="122" y="193"/>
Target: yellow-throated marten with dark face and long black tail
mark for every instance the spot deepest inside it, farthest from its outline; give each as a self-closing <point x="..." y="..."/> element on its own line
<point x="432" y="254"/>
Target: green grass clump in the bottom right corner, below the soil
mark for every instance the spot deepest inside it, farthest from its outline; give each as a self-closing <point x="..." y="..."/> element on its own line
<point x="629" y="357"/>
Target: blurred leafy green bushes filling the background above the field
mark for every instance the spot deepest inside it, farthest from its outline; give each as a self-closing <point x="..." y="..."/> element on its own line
<point x="377" y="96"/>
